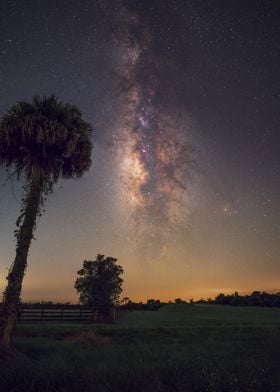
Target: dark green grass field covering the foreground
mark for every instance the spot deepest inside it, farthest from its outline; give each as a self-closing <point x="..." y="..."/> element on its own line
<point x="177" y="348"/>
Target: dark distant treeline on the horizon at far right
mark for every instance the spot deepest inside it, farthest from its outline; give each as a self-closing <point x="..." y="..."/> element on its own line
<point x="256" y="298"/>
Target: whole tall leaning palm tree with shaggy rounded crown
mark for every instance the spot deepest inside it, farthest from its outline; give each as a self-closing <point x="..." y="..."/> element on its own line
<point x="41" y="141"/>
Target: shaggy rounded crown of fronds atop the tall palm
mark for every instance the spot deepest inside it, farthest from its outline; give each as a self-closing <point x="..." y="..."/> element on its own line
<point x="45" y="135"/>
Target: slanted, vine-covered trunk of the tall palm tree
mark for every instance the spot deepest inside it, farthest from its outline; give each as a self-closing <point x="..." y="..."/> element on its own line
<point x="16" y="273"/>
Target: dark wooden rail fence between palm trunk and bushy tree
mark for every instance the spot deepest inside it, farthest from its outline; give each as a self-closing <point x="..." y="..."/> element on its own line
<point x="54" y="313"/>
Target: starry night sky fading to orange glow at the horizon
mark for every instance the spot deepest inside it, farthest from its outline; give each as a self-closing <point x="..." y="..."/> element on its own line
<point x="183" y="96"/>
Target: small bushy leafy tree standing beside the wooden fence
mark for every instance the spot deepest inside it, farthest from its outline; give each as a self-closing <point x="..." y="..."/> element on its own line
<point x="99" y="283"/>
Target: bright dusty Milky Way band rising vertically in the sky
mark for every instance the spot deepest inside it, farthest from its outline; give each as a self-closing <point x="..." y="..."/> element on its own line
<point x="154" y="151"/>
